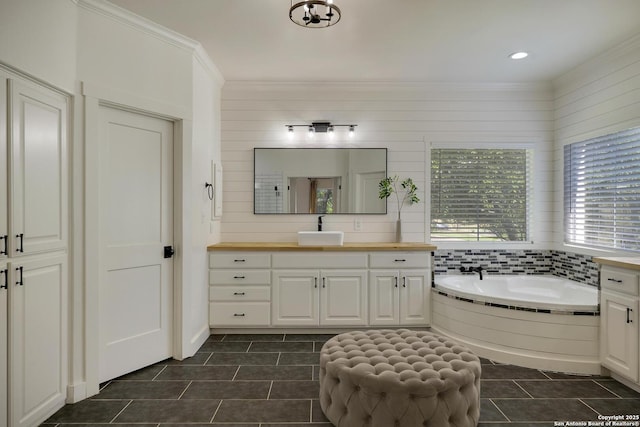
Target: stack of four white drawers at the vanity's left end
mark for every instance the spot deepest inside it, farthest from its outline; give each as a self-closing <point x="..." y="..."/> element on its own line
<point x="239" y="289"/>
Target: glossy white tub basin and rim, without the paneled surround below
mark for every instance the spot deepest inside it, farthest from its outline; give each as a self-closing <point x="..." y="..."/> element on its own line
<point x="532" y="292"/>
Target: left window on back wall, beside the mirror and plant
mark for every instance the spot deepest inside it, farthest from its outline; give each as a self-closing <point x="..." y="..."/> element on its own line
<point x="479" y="194"/>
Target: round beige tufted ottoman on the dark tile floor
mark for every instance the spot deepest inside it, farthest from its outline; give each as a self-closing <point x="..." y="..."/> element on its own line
<point x="387" y="378"/>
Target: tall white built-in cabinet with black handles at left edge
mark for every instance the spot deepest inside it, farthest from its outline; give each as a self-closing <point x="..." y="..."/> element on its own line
<point x="33" y="251"/>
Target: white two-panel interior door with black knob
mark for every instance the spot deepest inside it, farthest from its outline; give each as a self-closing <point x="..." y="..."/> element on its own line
<point x="136" y="223"/>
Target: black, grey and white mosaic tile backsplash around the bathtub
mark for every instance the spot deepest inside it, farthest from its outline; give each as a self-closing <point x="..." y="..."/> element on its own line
<point x="580" y="268"/>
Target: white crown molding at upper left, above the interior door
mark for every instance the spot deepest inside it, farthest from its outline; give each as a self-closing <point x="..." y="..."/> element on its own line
<point x="148" y="27"/>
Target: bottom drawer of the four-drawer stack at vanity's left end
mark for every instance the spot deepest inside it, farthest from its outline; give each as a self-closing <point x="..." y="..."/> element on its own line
<point x="239" y="314"/>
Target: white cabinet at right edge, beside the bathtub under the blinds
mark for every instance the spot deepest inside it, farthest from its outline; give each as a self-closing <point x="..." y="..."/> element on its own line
<point x="620" y="331"/>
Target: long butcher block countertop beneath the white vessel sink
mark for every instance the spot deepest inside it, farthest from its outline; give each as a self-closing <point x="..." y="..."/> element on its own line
<point x="347" y="247"/>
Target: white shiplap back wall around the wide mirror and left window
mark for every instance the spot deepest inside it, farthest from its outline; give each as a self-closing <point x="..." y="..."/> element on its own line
<point x="404" y="118"/>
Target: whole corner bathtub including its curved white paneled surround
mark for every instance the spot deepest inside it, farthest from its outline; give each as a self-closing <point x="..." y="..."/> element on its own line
<point x="540" y="322"/>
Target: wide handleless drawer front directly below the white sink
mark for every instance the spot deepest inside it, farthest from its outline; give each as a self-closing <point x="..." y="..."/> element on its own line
<point x="319" y="260"/>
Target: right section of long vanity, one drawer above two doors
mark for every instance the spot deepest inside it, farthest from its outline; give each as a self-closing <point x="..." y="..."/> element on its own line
<point x="399" y="296"/>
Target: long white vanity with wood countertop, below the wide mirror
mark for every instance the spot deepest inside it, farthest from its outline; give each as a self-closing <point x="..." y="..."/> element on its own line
<point x="284" y="286"/>
